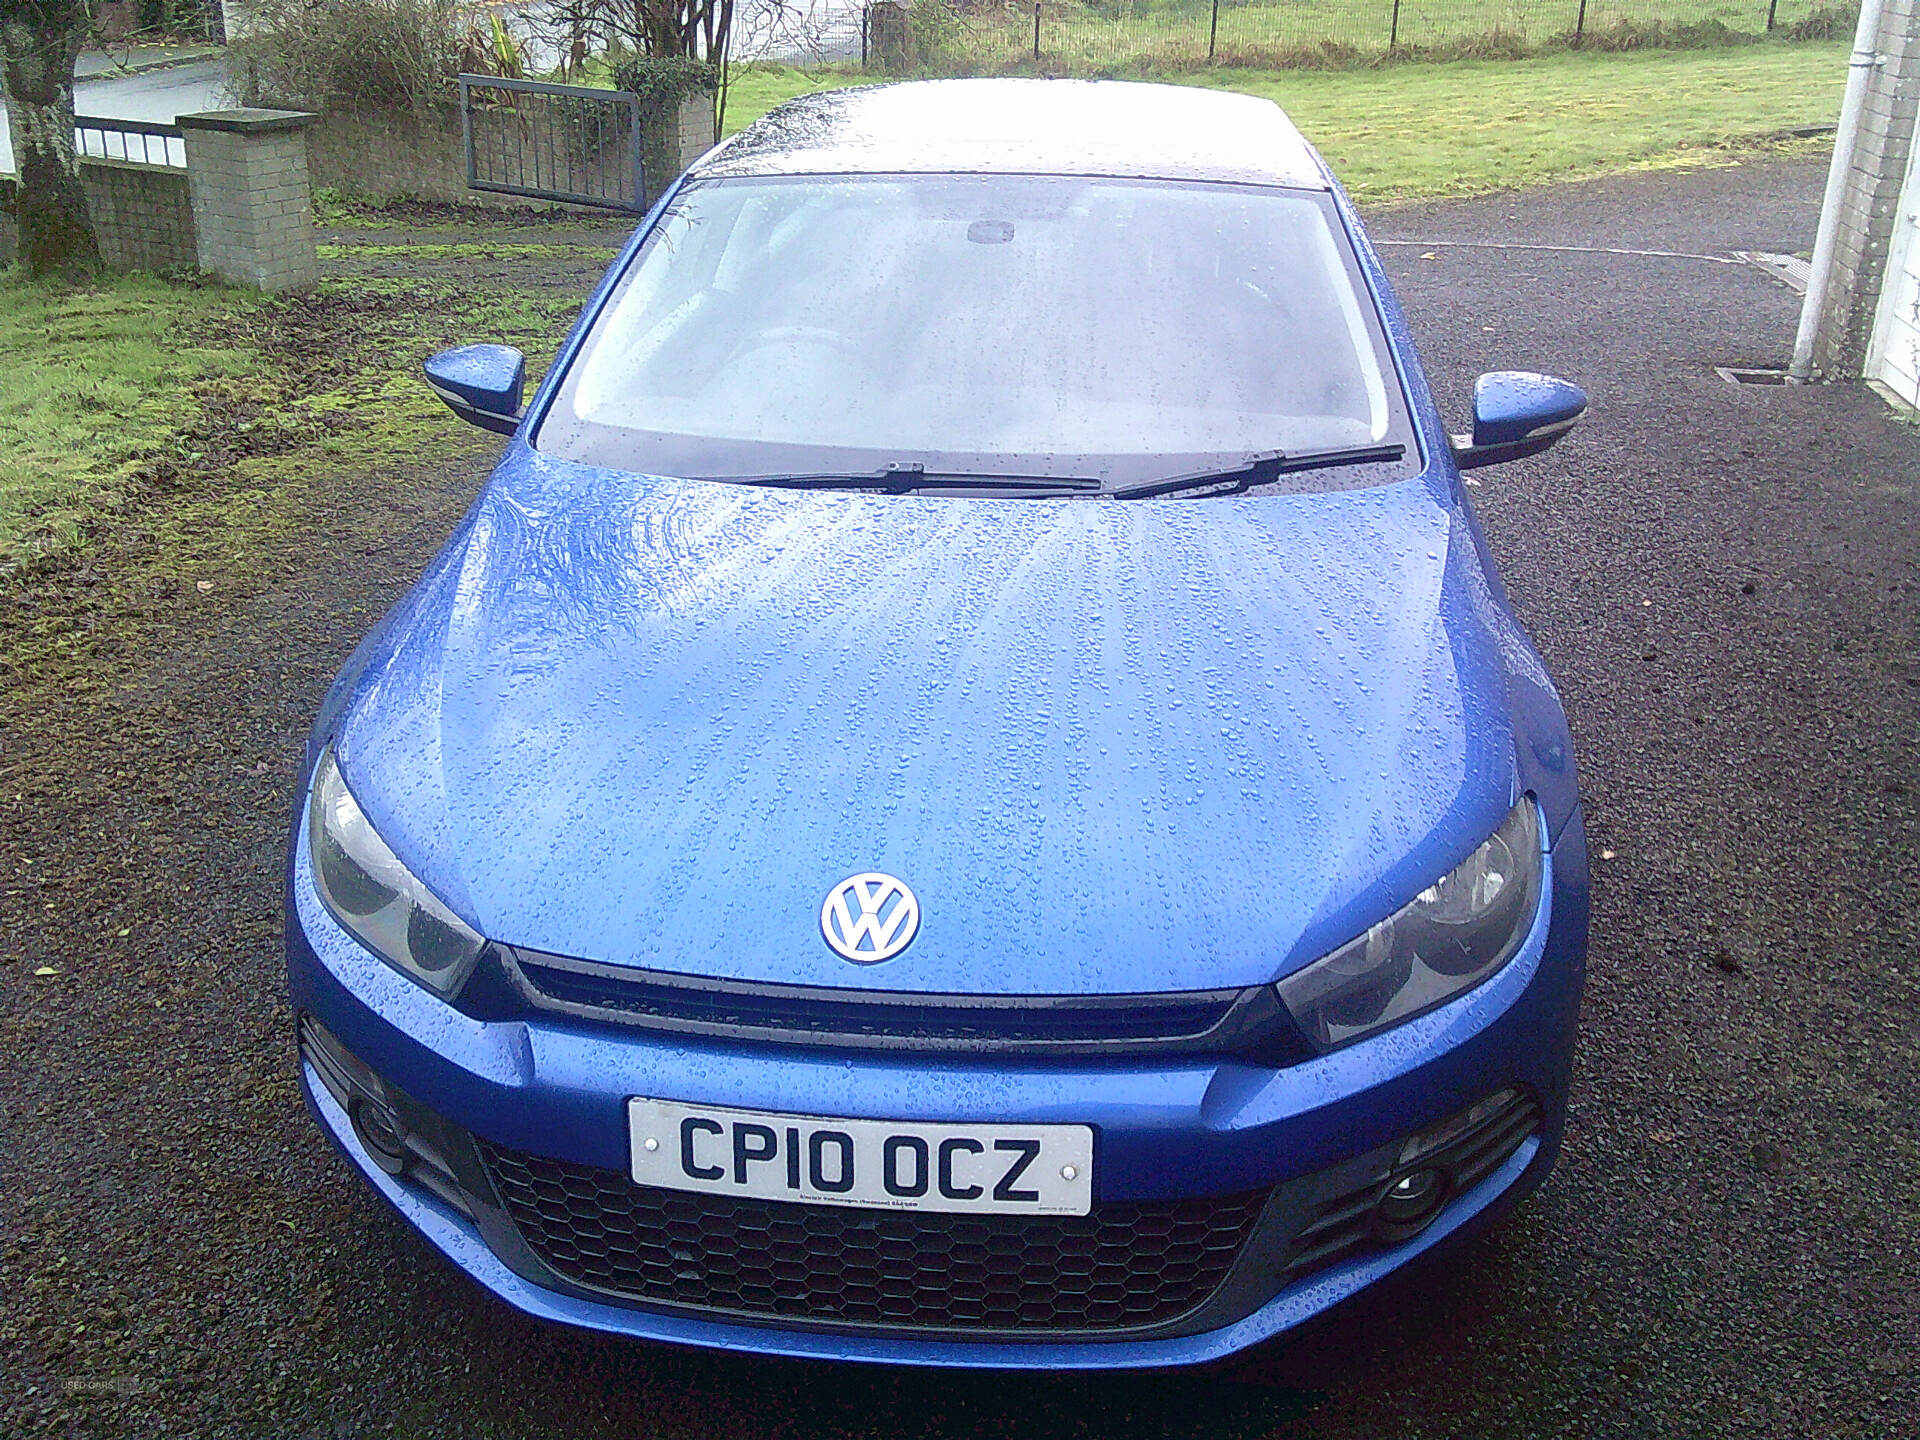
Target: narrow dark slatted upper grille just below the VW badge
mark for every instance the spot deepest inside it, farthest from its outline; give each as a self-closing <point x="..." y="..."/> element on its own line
<point x="1214" y="1022"/>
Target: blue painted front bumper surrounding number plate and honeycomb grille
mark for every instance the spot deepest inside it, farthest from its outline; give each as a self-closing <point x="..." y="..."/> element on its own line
<point x="1168" y="1132"/>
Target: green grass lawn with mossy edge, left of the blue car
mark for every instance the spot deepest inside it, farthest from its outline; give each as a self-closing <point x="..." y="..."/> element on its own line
<point x="222" y="402"/>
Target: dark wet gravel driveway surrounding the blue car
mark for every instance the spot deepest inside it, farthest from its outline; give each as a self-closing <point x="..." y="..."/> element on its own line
<point x="1723" y="583"/>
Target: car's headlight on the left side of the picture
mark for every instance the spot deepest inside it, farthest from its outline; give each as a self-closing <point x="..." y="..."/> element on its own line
<point x="375" y="898"/>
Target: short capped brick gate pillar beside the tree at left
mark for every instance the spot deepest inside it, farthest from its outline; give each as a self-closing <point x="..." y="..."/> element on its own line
<point x="249" y="178"/>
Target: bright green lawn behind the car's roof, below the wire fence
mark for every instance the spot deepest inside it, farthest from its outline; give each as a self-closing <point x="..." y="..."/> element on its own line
<point x="1477" y="126"/>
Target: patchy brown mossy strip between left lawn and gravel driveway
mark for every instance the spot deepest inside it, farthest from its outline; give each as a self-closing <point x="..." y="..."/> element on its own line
<point x="260" y="471"/>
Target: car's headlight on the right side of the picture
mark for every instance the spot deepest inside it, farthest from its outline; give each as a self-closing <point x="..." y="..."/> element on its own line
<point x="1445" y="942"/>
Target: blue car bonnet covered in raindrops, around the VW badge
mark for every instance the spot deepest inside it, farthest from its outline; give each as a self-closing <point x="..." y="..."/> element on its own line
<point x="1111" y="746"/>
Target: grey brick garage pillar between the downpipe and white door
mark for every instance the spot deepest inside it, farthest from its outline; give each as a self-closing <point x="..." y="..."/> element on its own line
<point x="1875" y="174"/>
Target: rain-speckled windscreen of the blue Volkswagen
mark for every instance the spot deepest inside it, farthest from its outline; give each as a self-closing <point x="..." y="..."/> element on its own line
<point x="980" y="325"/>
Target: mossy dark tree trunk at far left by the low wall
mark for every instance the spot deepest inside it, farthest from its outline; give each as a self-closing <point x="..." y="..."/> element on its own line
<point x="39" y="45"/>
